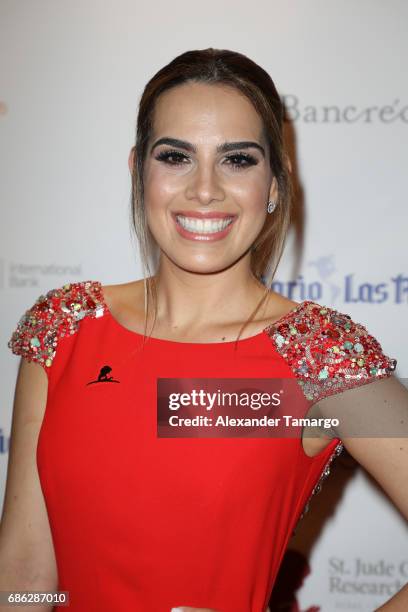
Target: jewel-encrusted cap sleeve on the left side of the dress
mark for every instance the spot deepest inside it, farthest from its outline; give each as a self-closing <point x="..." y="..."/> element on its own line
<point x="53" y="315"/>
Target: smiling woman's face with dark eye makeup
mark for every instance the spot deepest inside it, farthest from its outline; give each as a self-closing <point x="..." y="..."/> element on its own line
<point x="206" y="192"/>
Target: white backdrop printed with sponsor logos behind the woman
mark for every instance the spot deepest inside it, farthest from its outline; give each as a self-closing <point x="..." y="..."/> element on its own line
<point x="71" y="77"/>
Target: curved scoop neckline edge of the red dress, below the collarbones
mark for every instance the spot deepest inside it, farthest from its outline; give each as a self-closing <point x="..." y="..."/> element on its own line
<point x="175" y="343"/>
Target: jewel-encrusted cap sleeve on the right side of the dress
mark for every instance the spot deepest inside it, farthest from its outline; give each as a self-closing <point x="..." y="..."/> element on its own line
<point x="327" y="350"/>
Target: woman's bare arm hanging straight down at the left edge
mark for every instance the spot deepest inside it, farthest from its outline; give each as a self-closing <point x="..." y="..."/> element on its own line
<point x="27" y="559"/>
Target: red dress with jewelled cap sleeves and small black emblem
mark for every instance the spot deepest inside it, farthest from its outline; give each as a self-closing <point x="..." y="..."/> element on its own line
<point x="144" y="523"/>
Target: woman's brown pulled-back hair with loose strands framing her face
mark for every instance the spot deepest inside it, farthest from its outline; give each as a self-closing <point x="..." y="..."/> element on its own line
<point x="218" y="66"/>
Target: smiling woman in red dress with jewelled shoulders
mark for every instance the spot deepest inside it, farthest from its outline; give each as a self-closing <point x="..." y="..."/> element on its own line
<point x="139" y="518"/>
